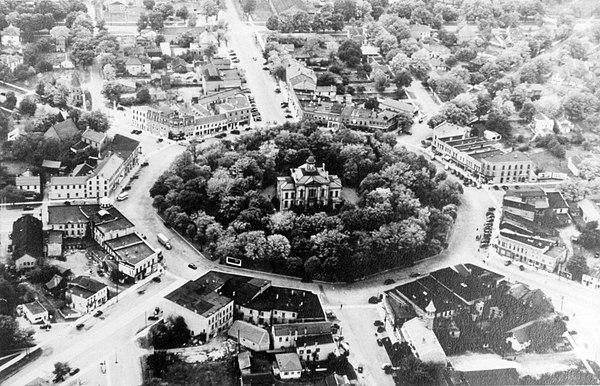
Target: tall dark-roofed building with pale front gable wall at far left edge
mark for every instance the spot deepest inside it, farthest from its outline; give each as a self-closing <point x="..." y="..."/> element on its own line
<point x="27" y="241"/>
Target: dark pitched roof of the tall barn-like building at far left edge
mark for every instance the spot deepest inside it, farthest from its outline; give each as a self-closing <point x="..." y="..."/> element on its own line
<point x="27" y="237"/>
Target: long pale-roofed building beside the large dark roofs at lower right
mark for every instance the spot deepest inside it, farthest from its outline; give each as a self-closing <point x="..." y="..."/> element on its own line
<point x="423" y="342"/>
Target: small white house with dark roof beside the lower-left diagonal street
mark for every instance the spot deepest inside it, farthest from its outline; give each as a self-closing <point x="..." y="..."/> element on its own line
<point x="86" y="294"/>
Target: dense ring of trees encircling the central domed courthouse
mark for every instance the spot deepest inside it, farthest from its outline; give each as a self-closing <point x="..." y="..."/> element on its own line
<point x="217" y="198"/>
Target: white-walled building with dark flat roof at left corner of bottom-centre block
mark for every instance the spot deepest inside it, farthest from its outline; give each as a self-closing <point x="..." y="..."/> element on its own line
<point x="204" y="309"/>
